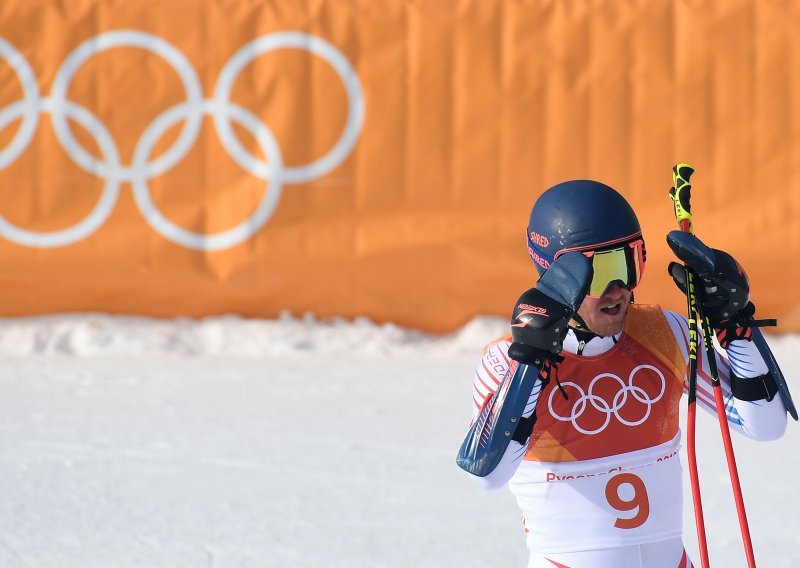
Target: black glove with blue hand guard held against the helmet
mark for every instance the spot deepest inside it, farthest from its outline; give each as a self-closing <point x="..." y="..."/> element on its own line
<point x="541" y="315"/>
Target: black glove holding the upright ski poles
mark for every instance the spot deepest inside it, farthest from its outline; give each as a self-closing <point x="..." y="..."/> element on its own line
<point x="725" y="297"/>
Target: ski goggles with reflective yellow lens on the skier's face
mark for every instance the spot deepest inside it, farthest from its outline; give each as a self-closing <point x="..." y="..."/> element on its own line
<point x="622" y="265"/>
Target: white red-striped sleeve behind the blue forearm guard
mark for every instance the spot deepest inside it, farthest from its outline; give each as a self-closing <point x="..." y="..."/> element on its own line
<point x="491" y="371"/>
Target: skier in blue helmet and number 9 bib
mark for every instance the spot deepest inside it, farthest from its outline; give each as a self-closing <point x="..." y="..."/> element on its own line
<point x="593" y="462"/>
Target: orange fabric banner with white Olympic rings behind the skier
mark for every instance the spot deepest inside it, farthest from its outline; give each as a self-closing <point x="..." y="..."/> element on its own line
<point x="378" y="157"/>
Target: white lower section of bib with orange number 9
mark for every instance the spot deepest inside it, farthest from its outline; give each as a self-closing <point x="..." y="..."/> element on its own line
<point x="619" y="500"/>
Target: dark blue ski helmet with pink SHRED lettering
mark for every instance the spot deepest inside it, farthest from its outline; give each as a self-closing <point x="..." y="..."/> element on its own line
<point x="579" y="215"/>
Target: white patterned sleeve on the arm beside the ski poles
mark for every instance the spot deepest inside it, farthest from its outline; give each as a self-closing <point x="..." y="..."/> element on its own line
<point x="757" y="419"/>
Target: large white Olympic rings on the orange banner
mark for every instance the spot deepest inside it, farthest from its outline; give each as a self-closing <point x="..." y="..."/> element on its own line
<point x="142" y="168"/>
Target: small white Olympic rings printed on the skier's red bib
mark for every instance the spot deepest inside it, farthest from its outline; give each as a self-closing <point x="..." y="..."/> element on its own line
<point x="589" y="400"/>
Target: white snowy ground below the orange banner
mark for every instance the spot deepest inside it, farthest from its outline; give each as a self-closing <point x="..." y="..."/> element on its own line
<point x="289" y="443"/>
